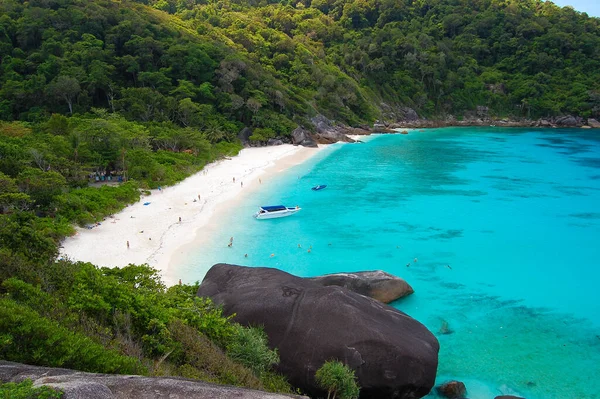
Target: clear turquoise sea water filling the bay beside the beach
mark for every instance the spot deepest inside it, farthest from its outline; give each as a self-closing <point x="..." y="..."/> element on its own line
<point x="505" y="227"/>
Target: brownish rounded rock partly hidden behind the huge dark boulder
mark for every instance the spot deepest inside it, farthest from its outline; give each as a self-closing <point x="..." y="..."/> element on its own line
<point x="375" y="284"/>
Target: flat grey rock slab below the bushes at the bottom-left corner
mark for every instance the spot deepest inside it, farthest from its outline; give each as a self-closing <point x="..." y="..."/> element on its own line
<point x="80" y="385"/>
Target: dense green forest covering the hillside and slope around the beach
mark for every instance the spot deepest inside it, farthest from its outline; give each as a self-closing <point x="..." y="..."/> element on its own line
<point x="101" y="101"/>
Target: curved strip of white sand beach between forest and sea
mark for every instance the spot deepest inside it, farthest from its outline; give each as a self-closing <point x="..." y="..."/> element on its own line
<point x="154" y="232"/>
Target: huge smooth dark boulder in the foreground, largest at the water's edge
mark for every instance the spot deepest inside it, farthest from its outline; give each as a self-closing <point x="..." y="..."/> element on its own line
<point x="393" y="355"/>
